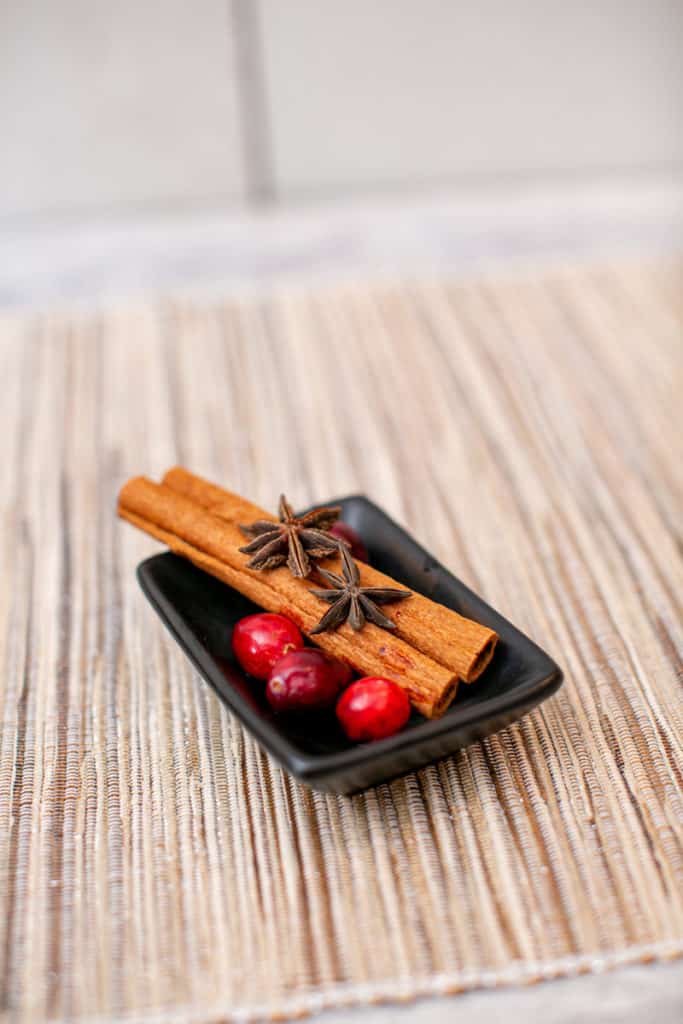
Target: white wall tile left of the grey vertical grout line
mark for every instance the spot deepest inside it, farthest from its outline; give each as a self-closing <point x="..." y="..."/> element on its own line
<point x="117" y="105"/>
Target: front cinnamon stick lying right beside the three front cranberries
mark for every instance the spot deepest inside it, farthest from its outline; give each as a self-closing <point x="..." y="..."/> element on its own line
<point x="212" y="544"/>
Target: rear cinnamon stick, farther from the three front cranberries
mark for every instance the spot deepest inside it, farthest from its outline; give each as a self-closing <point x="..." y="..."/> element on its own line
<point x="458" y="644"/>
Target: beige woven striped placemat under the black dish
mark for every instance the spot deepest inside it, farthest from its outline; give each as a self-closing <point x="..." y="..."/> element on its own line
<point x="154" y="864"/>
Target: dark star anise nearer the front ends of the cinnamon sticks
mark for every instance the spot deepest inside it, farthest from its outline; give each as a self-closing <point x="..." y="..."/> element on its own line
<point x="353" y="603"/>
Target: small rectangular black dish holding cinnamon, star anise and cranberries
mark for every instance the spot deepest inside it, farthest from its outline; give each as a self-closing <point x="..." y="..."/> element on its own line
<point x="201" y="612"/>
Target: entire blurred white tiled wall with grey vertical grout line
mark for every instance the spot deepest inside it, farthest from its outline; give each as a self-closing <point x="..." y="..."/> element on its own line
<point x="162" y="104"/>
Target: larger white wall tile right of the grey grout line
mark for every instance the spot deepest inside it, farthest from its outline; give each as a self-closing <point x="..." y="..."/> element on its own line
<point x="386" y="92"/>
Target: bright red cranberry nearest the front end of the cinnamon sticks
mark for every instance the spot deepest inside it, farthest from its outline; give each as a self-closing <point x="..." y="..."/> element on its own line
<point x="373" y="708"/>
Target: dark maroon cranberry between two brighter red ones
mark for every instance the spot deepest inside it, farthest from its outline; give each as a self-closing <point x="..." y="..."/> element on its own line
<point x="304" y="680"/>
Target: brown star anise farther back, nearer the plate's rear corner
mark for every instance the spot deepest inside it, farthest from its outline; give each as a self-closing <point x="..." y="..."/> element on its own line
<point x="295" y="540"/>
